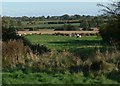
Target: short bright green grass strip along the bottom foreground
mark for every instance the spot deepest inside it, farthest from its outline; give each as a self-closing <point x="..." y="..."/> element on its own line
<point x="57" y="78"/>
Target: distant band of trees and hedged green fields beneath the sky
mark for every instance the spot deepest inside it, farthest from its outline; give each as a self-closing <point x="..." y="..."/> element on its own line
<point x="85" y="22"/>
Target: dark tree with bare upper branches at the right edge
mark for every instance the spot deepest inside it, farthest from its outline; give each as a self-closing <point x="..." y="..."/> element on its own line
<point x="110" y="31"/>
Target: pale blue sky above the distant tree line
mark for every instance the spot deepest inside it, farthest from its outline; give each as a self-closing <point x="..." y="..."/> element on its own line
<point x="49" y="8"/>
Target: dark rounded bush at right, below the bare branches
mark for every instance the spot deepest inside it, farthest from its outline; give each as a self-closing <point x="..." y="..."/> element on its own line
<point x="110" y="32"/>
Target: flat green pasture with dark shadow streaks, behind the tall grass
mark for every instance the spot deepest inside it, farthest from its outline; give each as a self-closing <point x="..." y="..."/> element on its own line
<point x="65" y="42"/>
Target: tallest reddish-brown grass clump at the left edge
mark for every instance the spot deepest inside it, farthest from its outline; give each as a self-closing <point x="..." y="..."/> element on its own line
<point x="13" y="52"/>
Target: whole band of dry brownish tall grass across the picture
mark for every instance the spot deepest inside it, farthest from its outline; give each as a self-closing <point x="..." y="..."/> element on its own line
<point x="16" y="54"/>
